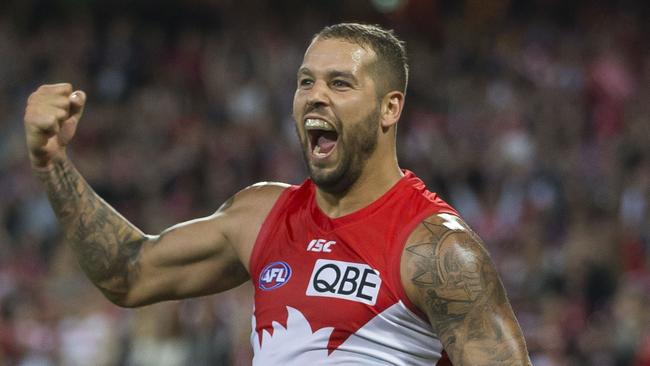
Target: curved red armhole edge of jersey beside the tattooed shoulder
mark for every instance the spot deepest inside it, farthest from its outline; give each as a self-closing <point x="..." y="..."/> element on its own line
<point x="396" y="258"/>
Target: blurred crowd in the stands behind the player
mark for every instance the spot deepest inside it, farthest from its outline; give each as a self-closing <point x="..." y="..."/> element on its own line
<point x="532" y="118"/>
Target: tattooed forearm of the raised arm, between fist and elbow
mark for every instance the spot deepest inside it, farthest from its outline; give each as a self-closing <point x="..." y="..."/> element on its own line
<point x="105" y="243"/>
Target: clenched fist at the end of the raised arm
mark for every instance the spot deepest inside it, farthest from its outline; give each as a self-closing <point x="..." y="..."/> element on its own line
<point x="51" y="118"/>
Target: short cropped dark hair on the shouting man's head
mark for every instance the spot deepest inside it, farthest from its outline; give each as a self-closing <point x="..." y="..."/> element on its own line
<point x="390" y="50"/>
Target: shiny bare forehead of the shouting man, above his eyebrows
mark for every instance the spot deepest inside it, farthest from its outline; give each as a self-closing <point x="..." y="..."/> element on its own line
<point x="336" y="54"/>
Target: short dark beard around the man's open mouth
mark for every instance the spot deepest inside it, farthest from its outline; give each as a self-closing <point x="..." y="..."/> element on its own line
<point x="355" y="145"/>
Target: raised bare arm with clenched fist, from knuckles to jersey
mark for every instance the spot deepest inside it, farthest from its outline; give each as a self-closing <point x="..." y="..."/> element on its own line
<point x="195" y="258"/>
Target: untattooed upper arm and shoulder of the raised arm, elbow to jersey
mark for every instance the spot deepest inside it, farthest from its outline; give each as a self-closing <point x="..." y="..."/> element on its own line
<point x="203" y="256"/>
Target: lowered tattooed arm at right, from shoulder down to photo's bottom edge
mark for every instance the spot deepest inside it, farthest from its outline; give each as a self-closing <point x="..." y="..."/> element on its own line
<point x="448" y="274"/>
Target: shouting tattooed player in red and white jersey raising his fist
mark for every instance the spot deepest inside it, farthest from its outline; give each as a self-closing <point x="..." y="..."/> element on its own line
<point x="359" y="265"/>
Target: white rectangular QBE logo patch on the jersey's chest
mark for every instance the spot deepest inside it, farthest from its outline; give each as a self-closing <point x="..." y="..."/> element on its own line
<point x="344" y="280"/>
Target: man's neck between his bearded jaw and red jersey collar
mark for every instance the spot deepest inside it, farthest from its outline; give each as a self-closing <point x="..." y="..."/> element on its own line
<point x="375" y="180"/>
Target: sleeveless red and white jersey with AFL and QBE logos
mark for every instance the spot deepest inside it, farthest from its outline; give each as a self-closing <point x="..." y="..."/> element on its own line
<point x="328" y="291"/>
